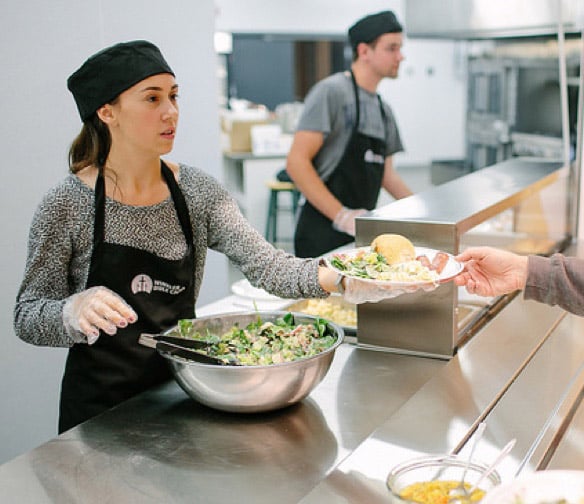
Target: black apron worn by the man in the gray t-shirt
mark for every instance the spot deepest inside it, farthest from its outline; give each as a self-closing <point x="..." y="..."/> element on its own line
<point x="355" y="182"/>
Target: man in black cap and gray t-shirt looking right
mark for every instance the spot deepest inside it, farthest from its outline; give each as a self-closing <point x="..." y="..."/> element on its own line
<point x="342" y="151"/>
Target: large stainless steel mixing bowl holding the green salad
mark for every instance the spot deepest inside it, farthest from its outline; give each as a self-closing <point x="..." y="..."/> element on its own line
<point x="250" y="389"/>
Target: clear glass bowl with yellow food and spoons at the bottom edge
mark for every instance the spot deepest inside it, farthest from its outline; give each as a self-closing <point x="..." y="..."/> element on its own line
<point x="437" y="468"/>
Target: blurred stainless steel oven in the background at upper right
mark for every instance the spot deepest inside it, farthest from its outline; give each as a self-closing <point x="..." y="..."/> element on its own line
<point x="514" y="109"/>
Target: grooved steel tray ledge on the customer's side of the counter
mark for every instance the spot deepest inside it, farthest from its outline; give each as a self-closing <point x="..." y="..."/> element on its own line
<point x="523" y="374"/>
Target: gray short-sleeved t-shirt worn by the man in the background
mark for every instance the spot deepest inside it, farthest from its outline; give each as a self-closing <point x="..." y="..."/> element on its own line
<point x="330" y="108"/>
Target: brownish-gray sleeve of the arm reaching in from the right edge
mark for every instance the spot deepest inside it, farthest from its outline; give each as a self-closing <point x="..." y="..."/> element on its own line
<point x="557" y="280"/>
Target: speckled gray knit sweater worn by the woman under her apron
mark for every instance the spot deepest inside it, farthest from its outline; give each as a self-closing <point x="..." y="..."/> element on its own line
<point x="60" y="246"/>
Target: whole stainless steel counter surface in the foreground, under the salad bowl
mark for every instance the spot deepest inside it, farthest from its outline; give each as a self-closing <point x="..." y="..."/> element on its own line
<point x="522" y="372"/>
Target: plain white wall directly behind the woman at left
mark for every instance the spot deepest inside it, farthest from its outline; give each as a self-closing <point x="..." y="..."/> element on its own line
<point x="42" y="43"/>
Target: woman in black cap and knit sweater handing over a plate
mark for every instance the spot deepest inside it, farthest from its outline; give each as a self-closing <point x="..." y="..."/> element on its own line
<point x="118" y="247"/>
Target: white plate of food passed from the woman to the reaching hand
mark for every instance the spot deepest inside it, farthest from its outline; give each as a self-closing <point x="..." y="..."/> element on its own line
<point x="429" y="266"/>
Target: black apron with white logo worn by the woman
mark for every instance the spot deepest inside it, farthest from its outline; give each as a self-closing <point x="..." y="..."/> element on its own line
<point x="160" y="291"/>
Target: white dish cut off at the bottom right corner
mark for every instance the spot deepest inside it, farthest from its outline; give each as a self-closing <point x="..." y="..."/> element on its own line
<point x="540" y="487"/>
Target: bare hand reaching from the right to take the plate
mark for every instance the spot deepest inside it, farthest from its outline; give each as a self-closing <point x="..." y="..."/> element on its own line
<point x="491" y="272"/>
